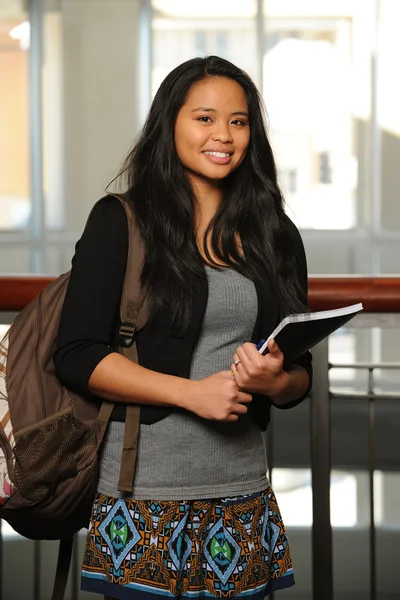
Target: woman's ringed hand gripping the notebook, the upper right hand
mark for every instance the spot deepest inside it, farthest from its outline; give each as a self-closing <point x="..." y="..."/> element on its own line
<point x="260" y="374"/>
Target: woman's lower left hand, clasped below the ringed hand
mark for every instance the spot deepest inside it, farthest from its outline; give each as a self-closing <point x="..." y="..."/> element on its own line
<point x="216" y="397"/>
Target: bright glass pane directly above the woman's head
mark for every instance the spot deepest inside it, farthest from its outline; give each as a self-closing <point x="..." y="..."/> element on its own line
<point x="225" y="28"/>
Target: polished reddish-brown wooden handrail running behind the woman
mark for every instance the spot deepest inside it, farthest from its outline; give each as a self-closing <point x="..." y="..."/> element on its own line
<point x="378" y="294"/>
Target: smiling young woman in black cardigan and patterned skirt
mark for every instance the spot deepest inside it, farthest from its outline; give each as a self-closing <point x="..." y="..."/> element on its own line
<point x="223" y="265"/>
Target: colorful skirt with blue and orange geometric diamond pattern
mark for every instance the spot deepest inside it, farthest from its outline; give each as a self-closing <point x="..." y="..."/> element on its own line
<point x="235" y="547"/>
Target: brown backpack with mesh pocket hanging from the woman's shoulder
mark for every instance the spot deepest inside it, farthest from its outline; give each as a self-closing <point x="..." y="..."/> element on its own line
<point x="50" y="436"/>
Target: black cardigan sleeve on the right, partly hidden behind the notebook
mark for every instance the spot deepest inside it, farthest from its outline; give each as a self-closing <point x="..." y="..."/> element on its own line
<point x="304" y="360"/>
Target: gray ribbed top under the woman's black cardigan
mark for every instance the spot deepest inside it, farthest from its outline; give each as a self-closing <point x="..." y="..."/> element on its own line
<point x="185" y="457"/>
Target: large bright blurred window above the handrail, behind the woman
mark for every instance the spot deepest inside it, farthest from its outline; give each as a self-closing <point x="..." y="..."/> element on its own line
<point x="326" y="71"/>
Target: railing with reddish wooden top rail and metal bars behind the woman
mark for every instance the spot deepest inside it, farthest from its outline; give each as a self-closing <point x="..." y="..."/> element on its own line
<point x="381" y="300"/>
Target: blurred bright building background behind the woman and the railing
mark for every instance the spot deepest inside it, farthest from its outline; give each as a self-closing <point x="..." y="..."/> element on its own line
<point x="76" y="81"/>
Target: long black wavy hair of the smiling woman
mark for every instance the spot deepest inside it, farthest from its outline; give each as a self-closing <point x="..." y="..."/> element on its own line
<point x="252" y="205"/>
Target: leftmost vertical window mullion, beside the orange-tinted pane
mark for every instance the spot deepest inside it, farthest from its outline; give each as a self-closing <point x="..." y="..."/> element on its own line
<point x="37" y="227"/>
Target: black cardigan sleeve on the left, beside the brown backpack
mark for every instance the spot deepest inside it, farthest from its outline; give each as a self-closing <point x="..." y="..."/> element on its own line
<point x="91" y="307"/>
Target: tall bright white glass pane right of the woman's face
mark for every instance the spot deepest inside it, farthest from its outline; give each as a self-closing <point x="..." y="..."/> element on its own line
<point x="316" y="88"/>
